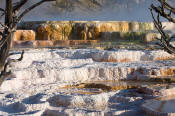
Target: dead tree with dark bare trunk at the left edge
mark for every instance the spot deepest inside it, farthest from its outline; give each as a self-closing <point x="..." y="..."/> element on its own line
<point x="12" y="17"/>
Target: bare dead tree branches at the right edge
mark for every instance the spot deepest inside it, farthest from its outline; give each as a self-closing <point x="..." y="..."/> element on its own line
<point x="167" y="11"/>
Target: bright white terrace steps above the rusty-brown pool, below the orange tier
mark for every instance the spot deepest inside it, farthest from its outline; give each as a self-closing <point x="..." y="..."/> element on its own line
<point x="75" y="66"/>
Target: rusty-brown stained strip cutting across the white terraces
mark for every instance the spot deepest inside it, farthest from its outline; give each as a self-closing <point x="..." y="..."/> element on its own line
<point x="98" y="87"/>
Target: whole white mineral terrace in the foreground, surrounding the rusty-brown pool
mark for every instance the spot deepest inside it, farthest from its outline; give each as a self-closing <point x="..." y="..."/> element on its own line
<point x="36" y="84"/>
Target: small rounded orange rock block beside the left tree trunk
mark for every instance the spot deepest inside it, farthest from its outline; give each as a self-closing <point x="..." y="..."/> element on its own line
<point x="24" y="35"/>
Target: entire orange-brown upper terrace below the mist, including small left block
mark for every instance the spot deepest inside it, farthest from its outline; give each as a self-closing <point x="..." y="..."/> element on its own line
<point x="63" y="31"/>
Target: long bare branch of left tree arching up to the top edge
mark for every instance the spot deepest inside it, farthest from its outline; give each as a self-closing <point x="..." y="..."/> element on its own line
<point x="31" y="8"/>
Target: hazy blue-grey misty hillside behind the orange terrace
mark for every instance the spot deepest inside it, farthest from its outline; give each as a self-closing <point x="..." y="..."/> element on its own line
<point x="125" y="10"/>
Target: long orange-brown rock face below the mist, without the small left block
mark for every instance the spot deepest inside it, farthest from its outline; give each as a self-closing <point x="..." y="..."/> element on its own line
<point x="82" y="30"/>
